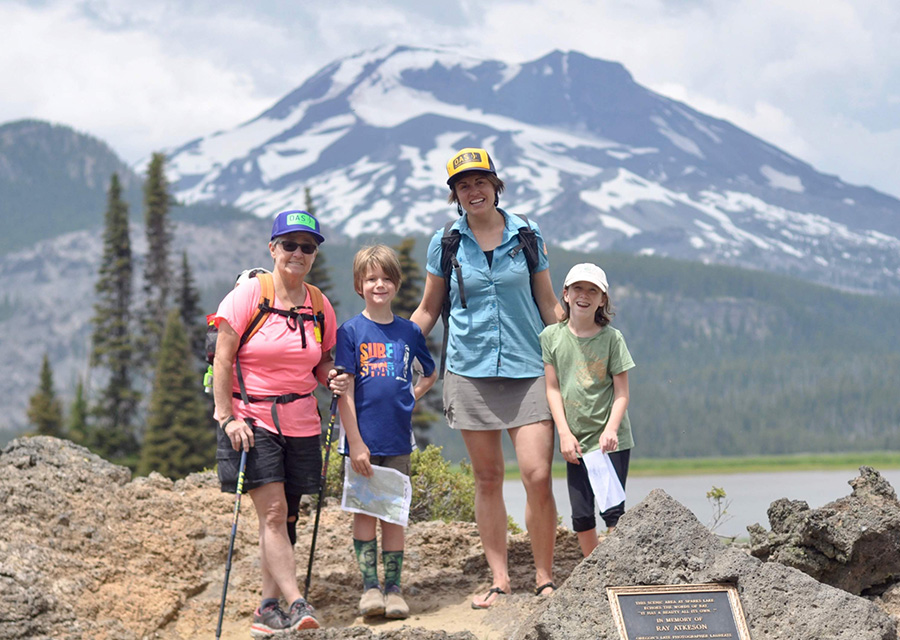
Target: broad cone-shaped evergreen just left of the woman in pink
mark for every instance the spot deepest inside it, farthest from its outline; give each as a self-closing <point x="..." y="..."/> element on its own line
<point x="180" y="438"/>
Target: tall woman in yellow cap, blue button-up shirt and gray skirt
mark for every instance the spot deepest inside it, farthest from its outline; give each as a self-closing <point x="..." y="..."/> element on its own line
<point x="494" y="379"/>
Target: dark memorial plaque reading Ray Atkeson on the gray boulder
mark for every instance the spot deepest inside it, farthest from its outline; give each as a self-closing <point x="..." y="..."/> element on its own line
<point x="678" y="612"/>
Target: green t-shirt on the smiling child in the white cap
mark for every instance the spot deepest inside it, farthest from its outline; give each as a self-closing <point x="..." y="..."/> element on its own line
<point x="585" y="368"/>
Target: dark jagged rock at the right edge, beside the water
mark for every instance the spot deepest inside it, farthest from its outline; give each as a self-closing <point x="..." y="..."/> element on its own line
<point x="852" y="543"/>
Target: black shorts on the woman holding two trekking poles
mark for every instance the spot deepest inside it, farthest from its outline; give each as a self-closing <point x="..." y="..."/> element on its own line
<point x="297" y="462"/>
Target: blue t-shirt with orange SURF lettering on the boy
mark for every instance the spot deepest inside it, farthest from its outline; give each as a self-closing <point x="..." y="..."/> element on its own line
<point x="381" y="357"/>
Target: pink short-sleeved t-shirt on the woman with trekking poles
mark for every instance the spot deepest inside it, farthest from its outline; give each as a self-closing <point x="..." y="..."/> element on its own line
<point x="274" y="362"/>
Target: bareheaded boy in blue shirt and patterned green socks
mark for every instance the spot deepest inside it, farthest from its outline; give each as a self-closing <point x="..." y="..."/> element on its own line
<point x="378" y="349"/>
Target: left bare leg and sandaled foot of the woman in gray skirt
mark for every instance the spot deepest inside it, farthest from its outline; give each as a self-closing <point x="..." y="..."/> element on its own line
<point x="488" y="468"/>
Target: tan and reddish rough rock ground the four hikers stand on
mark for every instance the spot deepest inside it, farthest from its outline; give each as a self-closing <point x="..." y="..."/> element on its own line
<point x="88" y="553"/>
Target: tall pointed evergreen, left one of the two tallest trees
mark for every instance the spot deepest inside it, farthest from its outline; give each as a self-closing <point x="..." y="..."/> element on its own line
<point x="112" y="343"/>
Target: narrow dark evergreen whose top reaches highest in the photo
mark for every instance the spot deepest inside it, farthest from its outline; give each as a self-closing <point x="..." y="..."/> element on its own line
<point x="157" y="270"/>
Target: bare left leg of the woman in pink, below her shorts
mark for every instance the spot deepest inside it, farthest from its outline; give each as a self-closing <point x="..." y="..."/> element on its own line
<point x="276" y="554"/>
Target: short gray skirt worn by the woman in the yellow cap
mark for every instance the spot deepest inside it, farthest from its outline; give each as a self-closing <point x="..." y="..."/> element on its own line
<point x="491" y="404"/>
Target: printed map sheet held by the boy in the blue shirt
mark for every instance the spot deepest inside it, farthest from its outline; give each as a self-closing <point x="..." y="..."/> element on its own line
<point x="386" y="495"/>
